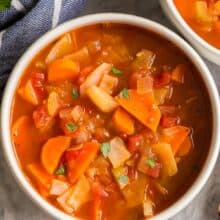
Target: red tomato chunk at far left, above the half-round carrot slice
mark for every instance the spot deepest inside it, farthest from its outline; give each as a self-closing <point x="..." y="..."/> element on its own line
<point x="41" y="117"/>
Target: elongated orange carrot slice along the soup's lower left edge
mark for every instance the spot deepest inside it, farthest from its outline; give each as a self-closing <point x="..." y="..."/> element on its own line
<point x="40" y="175"/>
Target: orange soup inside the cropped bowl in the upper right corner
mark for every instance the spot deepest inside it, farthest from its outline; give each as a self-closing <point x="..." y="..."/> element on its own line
<point x="203" y="16"/>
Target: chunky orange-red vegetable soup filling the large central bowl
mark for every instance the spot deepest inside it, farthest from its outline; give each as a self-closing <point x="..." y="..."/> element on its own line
<point x="111" y="122"/>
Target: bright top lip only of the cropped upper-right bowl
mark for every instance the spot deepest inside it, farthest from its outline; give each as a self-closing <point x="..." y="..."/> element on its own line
<point x="187" y="29"/>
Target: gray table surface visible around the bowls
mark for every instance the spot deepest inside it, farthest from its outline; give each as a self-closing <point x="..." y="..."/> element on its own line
<point x="15" y="205"/>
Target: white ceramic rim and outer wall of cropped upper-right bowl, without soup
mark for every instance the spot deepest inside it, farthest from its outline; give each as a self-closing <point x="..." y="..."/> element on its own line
<point x="205" y="49"/>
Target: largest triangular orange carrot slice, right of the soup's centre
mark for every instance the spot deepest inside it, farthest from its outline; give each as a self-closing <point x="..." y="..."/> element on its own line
<point x="142" y="107"/>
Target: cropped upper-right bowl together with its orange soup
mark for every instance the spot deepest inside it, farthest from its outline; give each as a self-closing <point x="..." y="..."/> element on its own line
<point x="198" y="22"/>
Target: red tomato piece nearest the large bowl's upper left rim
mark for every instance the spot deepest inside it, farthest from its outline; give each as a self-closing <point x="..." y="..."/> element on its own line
<point x="38" y="81"/>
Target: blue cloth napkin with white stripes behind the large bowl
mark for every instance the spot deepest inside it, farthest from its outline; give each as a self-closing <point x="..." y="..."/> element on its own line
<point x="27" y="20"/>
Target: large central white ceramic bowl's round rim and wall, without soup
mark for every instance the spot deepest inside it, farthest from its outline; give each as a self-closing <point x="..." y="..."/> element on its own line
<point x="115" y="18"/>
